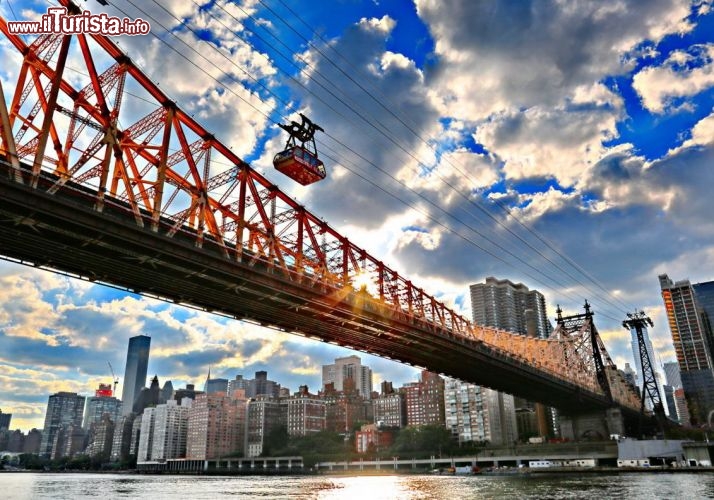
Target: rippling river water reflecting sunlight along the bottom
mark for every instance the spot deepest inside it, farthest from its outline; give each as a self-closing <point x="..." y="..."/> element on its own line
<point x="551" y="486"/>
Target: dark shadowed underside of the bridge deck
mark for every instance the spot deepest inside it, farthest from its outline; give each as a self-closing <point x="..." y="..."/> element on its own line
<point x="67" y="234"/>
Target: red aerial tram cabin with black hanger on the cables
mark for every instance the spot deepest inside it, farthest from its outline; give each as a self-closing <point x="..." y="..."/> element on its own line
<point x="299" y="161"/>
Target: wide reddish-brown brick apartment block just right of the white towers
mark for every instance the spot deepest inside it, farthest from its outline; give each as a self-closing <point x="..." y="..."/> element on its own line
<point x="216" y="426"/>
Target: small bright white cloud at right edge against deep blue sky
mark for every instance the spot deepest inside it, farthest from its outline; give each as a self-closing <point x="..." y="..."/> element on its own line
<point x="683" y="74"/>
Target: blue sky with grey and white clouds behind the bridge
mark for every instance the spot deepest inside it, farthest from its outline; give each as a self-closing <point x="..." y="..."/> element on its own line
<point x="566" y="145"/>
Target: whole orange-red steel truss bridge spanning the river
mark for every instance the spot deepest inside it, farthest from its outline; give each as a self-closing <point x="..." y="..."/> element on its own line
<point x="160" y="207"/>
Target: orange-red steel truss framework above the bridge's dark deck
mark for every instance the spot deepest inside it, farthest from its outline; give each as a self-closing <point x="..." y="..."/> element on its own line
<point x="69" y="135"/>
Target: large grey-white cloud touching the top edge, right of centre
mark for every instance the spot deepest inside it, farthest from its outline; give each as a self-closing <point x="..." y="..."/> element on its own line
<point x="523" y="54"/>
